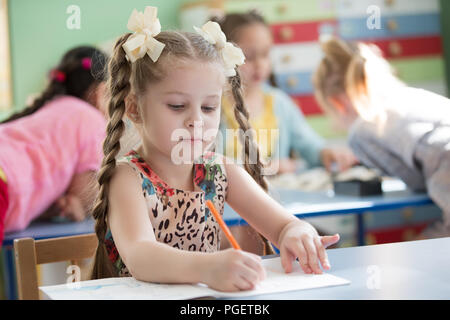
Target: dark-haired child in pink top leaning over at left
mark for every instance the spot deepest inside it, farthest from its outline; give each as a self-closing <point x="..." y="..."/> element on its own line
<point x="51" y="150"/>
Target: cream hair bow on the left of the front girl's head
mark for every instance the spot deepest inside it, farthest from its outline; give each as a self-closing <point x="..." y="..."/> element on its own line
<point x="145" y="26"/>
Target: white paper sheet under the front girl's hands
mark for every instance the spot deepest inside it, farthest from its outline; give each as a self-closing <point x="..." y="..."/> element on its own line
<point x="129" y="288"/>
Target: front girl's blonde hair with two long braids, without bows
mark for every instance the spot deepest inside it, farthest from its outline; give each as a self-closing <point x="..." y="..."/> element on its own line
<point x="125" y="77"/>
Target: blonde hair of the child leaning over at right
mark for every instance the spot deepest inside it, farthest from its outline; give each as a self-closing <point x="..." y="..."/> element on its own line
<point x="355" y="69"/>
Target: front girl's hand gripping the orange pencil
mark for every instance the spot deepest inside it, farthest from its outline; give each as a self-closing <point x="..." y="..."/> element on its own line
<point x="234" y="270"/>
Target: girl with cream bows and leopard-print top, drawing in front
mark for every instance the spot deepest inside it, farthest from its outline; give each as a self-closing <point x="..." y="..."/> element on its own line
<point x="151" y="218"/>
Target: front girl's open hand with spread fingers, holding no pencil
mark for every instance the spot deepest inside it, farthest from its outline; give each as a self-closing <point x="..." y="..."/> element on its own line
<point x="300" y="240"/>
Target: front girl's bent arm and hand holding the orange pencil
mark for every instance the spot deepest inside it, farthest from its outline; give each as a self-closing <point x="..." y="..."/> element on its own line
<point x="149" y="260"/>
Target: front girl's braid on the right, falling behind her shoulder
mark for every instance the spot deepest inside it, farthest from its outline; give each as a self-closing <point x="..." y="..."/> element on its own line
<point x="249" y="144"/>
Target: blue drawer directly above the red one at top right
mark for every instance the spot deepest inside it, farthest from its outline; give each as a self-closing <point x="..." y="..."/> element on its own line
<point x="391" y="27"/>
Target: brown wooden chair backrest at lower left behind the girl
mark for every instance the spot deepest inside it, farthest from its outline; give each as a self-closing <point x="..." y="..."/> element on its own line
<point x="30" y="253"/>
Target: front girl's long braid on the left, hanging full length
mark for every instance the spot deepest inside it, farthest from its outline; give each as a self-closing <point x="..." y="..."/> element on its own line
<point x="119" y="86"/>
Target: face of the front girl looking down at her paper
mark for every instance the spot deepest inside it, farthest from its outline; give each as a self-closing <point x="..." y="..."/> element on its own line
<point x="182" y="112"/>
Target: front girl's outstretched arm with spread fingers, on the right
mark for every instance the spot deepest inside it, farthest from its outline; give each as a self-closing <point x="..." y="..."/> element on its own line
<point x="295" y="238"/>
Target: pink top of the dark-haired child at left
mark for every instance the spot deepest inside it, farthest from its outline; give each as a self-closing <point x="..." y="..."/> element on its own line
<point x="41" y="153"/>
